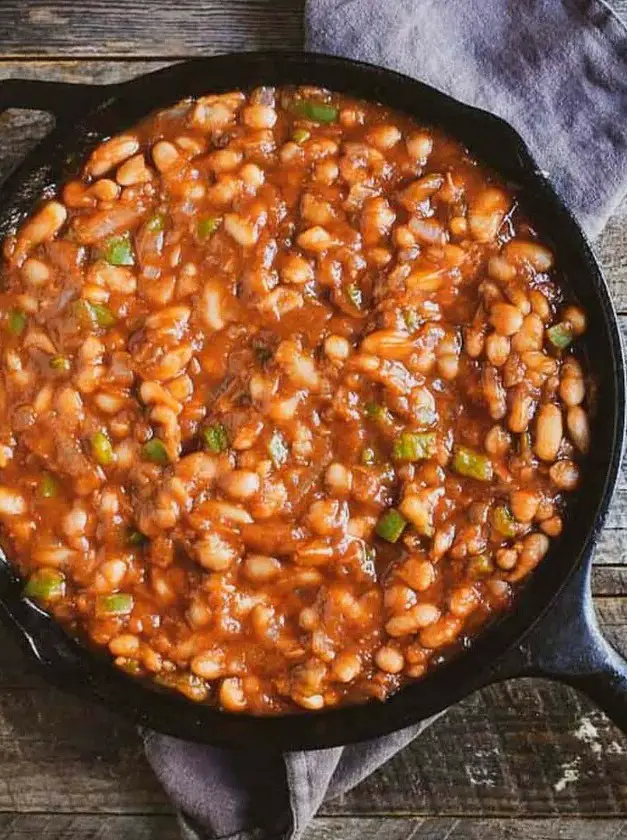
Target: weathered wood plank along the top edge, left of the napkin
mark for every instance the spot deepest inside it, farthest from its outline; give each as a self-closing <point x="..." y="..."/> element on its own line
<point x="109" y="28"/>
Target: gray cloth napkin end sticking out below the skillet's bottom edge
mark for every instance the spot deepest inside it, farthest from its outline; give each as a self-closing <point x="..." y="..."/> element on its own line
<point x="247" y="796"/>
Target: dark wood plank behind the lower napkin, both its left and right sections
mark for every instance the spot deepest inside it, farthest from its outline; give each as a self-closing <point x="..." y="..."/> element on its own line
<point x="522" y="748"/>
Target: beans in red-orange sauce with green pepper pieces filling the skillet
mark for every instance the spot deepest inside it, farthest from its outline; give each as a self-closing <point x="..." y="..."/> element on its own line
<point x="289" y="399"/>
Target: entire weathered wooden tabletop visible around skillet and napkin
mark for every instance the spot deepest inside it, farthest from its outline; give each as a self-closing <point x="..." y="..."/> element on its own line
<point x="525" y="759"/>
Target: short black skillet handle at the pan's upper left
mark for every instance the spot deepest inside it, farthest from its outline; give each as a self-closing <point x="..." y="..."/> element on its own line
<point x="62" y="99"/>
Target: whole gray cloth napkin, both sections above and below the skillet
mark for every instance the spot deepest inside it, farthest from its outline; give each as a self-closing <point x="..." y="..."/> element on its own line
<point x="557" y="71"/>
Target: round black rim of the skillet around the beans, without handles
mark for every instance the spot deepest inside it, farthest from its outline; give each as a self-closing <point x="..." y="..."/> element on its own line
<point x="79" y="670"/>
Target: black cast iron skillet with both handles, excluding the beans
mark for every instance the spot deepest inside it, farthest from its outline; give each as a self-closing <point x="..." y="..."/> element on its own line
<point x="552" y="631"/>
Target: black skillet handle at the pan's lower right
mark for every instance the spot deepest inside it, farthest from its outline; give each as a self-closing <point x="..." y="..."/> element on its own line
<point x="567" y="645"/>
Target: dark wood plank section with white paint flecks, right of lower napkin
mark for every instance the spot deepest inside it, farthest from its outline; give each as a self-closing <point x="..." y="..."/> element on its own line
<point x="519" y="748"/>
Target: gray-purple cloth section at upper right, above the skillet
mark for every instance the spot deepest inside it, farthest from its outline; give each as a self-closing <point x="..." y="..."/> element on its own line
<point x="554" y="69"/>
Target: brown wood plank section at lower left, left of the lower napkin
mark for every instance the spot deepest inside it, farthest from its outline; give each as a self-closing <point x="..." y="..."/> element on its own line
<point x="56" y="758"/>
